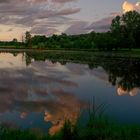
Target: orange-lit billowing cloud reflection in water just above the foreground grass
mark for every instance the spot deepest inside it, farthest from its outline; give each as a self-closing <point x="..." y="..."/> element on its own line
<point x="68" y="108"/>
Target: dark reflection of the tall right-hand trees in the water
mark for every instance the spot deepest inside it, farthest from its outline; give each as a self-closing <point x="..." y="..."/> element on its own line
<point x="124" y="73"/>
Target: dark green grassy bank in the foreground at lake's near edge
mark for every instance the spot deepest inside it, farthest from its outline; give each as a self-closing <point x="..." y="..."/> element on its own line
<point x="96" y="128"/>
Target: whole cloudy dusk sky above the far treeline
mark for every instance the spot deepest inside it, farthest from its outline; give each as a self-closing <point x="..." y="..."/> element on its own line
<point x="48" y="17"/>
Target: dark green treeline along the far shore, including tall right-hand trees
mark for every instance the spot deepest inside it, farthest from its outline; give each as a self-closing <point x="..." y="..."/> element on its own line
<point x="124" y="33"/>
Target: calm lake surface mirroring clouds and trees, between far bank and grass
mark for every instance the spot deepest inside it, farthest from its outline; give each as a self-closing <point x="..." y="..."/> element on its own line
<point x="40" y="90"/>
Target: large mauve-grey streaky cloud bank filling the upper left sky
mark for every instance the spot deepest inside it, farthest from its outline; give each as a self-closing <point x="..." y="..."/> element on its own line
<point x="36" y="13"/>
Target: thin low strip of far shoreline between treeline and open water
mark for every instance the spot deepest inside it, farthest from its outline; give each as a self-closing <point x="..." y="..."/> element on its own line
<point x="118" y="53"/>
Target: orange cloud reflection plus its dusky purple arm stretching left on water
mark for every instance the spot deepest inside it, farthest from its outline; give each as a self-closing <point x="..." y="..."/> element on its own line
<point x="62" y="106"/>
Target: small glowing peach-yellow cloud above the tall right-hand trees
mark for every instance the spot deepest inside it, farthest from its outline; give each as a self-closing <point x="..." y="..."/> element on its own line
<point x="127" y="6"/>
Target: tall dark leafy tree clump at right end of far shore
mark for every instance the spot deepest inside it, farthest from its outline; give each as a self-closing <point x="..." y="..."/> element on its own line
<point x="126" y="28"/>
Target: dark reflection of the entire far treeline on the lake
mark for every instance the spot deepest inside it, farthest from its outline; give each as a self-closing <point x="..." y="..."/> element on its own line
<point x="122" y="71"/>
